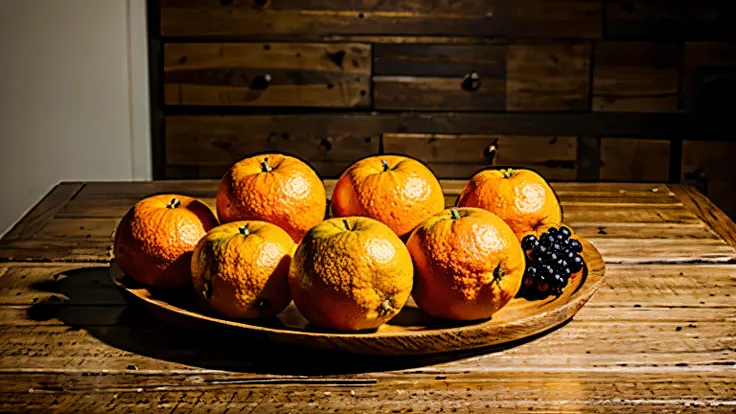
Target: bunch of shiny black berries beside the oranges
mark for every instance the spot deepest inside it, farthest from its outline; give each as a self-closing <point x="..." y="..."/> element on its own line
<point x="551" y="260"/>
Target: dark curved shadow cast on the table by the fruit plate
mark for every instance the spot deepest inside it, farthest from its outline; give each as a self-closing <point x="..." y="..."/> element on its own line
<point x="95" y="305"/>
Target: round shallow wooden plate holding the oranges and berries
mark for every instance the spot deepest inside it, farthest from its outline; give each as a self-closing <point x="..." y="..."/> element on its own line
<point x="411" y="332"/>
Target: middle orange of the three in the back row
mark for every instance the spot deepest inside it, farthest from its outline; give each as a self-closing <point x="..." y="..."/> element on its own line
<point x="401" y="197"/>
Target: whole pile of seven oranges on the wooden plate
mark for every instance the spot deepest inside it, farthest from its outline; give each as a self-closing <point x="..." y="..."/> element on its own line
<point x="389" y="237"/>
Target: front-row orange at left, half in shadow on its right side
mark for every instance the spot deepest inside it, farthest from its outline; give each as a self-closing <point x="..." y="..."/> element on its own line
<point x="241" y="269"/>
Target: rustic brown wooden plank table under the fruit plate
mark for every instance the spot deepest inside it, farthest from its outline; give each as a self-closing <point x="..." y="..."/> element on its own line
<point x="659" y="336"/>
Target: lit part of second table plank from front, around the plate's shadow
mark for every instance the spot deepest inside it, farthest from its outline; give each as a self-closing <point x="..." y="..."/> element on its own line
<point x="650" y="346"/>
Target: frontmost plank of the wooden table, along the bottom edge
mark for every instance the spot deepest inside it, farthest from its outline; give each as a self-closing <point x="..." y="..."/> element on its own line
<point x="609" y="392"/>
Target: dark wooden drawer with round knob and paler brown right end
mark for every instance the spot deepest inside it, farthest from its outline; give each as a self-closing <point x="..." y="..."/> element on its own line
<point x="512" y="77"/>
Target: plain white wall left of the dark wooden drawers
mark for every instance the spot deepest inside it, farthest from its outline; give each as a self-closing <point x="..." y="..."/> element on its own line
<point x="73" y="96"/>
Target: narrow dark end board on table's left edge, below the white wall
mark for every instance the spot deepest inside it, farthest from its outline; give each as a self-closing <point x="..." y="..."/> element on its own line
<point x="37" y="218"/>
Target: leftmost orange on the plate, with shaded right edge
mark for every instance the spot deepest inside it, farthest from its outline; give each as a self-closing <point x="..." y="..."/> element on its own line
<point x="155" y="239"/>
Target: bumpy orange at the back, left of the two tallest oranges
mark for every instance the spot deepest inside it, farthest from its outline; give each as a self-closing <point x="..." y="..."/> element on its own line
<point x="286" y="192"/>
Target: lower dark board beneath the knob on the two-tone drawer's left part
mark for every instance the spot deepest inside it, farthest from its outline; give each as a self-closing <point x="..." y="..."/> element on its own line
<point x="424" y="93"/>
